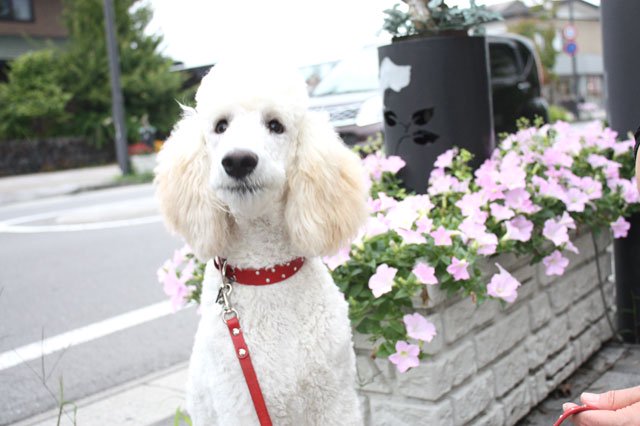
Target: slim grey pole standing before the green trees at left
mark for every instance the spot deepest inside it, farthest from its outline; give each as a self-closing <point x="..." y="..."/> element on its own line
<point x="117" y="104"/>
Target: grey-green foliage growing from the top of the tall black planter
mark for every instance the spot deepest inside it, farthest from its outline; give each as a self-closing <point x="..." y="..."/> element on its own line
<point x="432" y="17"/>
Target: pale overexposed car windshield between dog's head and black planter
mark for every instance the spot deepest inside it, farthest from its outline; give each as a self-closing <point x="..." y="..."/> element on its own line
<point x="357" y="73"/>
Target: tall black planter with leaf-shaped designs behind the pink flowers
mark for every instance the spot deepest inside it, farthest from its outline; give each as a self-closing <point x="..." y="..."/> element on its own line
<point x="446" y="103"/>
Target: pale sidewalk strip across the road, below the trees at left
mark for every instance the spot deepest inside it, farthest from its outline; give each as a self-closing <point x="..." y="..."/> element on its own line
<point x="29" y="187"/>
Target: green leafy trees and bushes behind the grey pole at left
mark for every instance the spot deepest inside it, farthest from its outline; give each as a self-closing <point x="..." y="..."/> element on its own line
<point x="80" y="77"/>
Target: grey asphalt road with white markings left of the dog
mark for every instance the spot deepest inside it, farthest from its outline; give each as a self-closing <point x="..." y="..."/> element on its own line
<point x="76" y="261"/>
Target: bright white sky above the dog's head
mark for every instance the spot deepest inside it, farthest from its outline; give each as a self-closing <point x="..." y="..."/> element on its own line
<point x="202" y="32"/>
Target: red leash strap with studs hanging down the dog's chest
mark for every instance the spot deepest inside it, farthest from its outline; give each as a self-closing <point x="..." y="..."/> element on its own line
<point x="242" y="352"/>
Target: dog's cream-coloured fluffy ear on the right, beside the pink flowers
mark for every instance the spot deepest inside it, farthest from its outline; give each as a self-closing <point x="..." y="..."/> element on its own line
<point x="326" y="197"/>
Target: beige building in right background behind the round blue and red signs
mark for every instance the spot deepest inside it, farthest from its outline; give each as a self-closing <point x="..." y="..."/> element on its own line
<point x="589" y="67"/>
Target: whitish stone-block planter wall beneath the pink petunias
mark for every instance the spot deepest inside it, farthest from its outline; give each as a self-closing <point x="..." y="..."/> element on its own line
<point x="491" y="364"/>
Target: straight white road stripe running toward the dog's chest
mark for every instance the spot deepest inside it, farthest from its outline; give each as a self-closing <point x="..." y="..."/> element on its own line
<point x="84" y="334"/>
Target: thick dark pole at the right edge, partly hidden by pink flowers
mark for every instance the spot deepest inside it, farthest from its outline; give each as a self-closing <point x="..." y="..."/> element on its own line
<point x="621" y="45"/>
